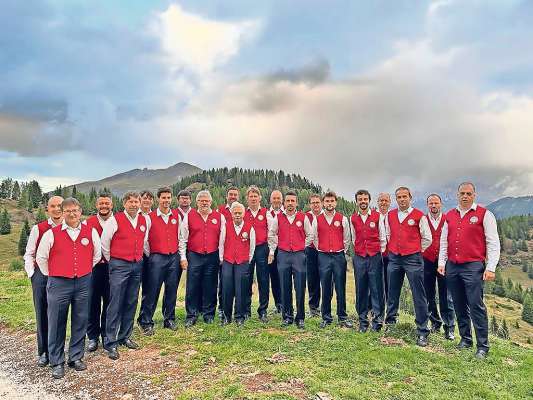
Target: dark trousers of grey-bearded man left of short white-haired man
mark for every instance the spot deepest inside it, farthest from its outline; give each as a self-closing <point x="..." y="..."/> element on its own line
<point x="202" y="282"/>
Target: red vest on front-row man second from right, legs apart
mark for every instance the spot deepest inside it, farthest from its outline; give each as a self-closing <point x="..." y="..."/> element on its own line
<point x="405" y="238"/>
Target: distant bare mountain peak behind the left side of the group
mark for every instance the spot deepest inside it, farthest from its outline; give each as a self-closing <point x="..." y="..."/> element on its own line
<point x="141" y="179"/>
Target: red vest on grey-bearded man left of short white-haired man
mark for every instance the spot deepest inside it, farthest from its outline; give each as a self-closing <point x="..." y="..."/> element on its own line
<point x="204" y="235"/>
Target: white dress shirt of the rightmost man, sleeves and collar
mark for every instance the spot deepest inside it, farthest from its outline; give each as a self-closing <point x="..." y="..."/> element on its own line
<point x="492" y="239"/>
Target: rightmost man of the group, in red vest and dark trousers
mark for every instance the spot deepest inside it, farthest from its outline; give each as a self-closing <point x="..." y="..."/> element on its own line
<point x="469" y="253"/>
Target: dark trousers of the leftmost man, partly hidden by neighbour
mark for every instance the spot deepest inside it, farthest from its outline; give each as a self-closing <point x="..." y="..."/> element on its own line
<point x="40" y="304"/>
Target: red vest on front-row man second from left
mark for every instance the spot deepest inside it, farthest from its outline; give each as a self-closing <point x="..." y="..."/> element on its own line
<point x="128" y="243"/>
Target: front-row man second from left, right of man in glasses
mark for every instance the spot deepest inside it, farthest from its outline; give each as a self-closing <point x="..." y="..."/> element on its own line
<point x="123" y="242"/>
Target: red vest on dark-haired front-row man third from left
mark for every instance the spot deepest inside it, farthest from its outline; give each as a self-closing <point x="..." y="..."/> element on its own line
<point x="163" y="238"/>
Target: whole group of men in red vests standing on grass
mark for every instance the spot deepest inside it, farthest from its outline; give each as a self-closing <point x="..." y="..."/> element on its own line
<point x="97" y="267"/>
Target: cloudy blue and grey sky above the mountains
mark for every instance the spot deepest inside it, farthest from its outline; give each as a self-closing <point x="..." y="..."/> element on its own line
<point x="350" y="94"/>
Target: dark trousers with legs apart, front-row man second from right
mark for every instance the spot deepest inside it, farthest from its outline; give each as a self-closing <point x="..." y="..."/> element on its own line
<point x="413" y="266"/>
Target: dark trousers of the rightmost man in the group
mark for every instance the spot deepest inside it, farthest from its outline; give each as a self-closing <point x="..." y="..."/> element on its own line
<point x="465" y="282"/>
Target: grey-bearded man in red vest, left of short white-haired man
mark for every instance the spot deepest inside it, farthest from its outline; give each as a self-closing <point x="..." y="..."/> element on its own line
<point x="201" y="239"/>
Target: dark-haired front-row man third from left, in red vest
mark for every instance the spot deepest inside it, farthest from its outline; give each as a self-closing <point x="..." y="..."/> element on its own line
<point x="163" y="264"/>
